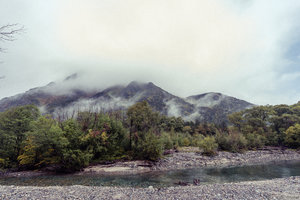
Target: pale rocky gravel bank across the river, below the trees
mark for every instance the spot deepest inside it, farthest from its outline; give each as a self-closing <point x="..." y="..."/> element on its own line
<point x="189" y="158"/>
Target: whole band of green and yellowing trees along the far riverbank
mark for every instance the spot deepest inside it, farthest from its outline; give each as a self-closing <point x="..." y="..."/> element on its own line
<point x="29" y="140"/>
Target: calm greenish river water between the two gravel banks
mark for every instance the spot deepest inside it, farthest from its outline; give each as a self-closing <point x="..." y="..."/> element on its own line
<point x="168" y="178"/>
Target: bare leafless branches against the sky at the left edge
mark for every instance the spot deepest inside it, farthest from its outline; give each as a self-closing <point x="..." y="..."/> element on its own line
<point x="8" y="32"/>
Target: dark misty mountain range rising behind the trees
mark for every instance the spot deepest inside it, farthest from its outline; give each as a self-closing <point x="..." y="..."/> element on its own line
<point x="54" y="98"/>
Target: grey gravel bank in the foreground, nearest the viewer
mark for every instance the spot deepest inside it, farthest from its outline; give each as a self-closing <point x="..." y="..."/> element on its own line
<point x="281" y="189"/>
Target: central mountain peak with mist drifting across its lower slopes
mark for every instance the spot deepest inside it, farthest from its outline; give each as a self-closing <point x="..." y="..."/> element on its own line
<point x="159" y="99"/>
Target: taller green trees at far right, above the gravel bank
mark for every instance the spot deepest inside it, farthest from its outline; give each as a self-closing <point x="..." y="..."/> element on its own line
<point x="269" y="125"/>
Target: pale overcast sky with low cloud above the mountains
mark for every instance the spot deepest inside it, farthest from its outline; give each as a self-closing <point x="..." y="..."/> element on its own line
<point x="249" y="49"/>
